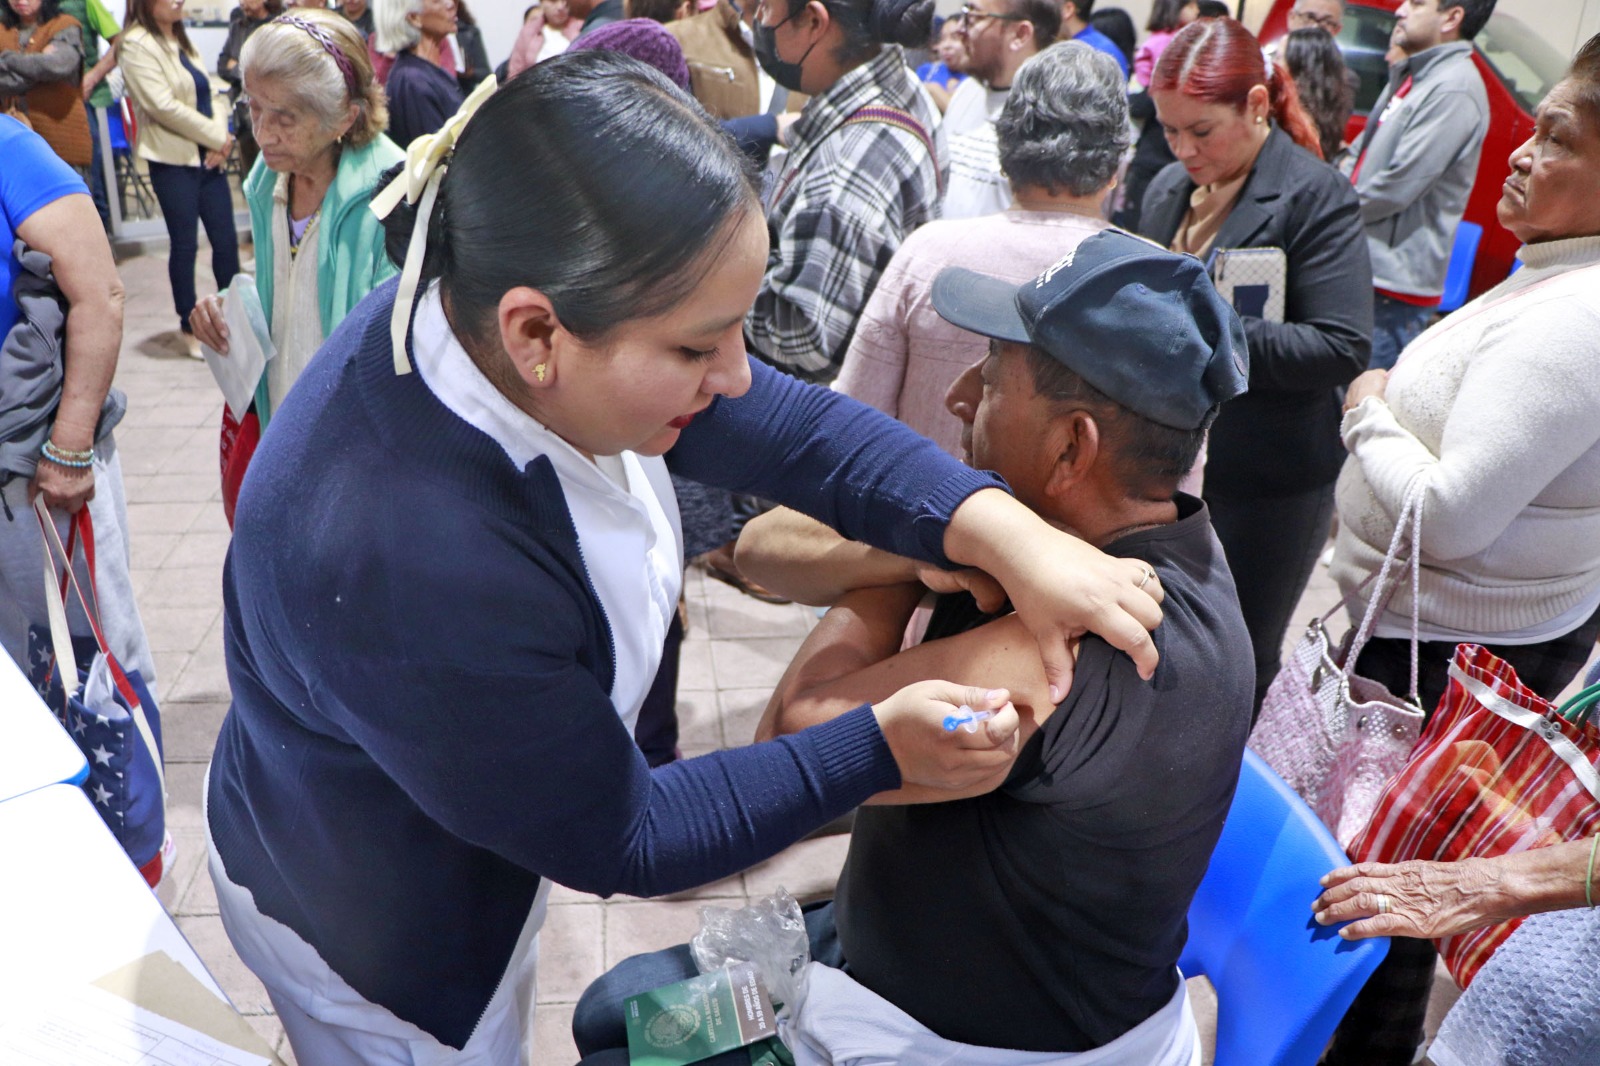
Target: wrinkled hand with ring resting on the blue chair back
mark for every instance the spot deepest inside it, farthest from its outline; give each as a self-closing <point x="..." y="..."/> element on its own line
<point x="1414" y="899"/>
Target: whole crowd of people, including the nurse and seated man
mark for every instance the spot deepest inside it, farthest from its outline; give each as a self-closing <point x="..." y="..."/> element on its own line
<point x="961" y="331"/>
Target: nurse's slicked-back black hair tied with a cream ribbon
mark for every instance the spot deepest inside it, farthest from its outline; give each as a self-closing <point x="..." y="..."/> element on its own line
<point x="590" y="178"/>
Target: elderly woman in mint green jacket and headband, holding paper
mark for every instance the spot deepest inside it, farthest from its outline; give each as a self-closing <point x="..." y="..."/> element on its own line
<point x="319" y="118"/>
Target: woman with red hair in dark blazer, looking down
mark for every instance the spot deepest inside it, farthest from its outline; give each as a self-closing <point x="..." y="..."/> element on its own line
<point x="1250" y="175"/>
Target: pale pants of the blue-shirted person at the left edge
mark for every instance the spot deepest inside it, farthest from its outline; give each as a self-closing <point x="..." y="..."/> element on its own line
<point x="22" y="582"/>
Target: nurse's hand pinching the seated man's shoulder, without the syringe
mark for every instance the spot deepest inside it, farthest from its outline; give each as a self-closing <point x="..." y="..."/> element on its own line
<point x="1060" y="587"/>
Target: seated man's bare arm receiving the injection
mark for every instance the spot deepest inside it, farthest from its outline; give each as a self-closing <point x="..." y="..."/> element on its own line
<point x="855" y="651"/>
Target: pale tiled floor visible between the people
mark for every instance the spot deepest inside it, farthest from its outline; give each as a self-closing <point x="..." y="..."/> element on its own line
<point x="735" y="652"/>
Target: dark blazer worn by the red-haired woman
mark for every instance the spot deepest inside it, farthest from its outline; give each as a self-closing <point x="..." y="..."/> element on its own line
<point x="1282" y="436"/>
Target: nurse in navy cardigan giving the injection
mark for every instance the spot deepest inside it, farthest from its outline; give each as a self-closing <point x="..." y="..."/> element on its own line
<point x="455" y="561"/>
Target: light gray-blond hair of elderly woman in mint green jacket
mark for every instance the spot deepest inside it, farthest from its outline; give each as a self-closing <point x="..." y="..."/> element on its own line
<point x="290" y="57"/>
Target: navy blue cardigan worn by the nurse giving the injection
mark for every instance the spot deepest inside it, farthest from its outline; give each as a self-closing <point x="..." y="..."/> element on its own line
<point x="422" y="726"/>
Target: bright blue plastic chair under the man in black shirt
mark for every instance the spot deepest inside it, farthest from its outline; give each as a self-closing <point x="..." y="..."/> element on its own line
<point x="1282" y="982"/>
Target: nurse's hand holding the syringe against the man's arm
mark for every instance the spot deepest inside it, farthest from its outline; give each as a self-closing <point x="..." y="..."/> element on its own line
<point x="929" y="755"/>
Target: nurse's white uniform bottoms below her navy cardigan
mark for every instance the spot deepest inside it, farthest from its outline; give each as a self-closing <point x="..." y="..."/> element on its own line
<point x="330" y="1024"/>
